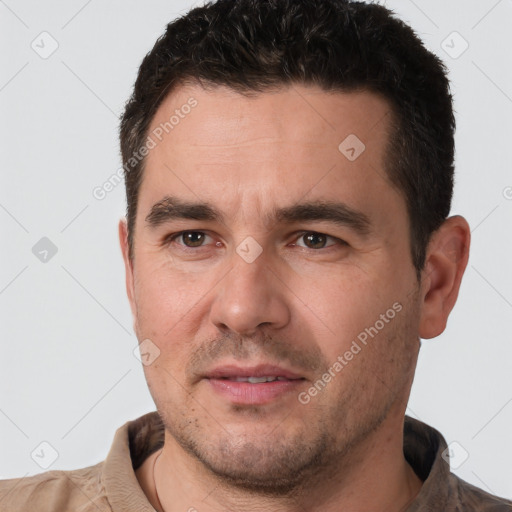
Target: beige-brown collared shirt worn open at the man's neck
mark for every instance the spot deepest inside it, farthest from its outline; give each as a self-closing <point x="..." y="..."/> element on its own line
<point x="112" y="486"/>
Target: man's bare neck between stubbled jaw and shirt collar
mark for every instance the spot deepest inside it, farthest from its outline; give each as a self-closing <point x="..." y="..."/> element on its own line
<point x="376" y="464"/>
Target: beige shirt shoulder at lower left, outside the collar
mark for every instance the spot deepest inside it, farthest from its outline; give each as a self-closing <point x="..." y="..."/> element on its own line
<point x="56" y="491"/>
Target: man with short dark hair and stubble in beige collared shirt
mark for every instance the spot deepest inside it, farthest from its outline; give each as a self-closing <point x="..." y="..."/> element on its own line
<point x="289" y="172"/>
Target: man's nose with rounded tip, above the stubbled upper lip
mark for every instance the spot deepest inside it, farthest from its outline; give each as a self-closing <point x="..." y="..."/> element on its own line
<point x="249" y="297"/>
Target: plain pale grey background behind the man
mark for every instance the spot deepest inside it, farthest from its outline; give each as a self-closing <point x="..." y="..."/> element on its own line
<point x="68" y="376"/>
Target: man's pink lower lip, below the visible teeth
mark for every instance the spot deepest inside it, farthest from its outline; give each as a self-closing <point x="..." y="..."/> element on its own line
<point x="245" y="393"/>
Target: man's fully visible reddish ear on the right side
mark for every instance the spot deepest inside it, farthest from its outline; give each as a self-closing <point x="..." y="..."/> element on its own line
<point x="446" y="260"/>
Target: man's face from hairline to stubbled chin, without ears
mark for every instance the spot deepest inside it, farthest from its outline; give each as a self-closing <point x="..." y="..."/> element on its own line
<point x="295" y="255"/>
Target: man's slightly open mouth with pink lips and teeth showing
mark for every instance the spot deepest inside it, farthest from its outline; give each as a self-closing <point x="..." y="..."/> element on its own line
<point x="253" y="385"/>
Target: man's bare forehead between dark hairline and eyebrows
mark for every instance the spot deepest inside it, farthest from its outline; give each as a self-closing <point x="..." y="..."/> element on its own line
<point x="271" y="148"/>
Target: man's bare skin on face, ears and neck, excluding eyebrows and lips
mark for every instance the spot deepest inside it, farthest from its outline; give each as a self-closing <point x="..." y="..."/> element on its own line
<point x="295" y="306"/>
